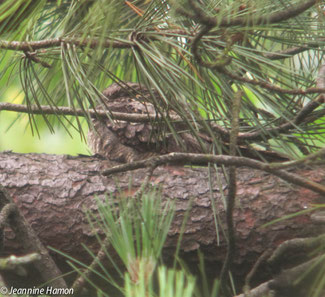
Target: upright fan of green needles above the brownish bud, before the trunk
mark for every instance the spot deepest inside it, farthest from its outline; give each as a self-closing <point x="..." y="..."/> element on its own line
<point x="137" y="230"/>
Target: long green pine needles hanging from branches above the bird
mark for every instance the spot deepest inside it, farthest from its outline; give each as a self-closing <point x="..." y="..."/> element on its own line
<point x="151" y="42"/>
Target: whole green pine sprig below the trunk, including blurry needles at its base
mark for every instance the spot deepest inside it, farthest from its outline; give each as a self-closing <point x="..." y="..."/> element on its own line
<point x="137" y="230"/>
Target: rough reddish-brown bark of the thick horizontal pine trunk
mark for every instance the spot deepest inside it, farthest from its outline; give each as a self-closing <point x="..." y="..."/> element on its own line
<point x="54" y="192"/>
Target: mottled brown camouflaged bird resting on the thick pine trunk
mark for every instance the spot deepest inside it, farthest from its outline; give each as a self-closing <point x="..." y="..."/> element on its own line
<point x="126" y="142"/>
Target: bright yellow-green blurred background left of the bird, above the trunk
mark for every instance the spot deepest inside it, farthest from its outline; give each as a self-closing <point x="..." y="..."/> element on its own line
<point x="17" y="135"/>
